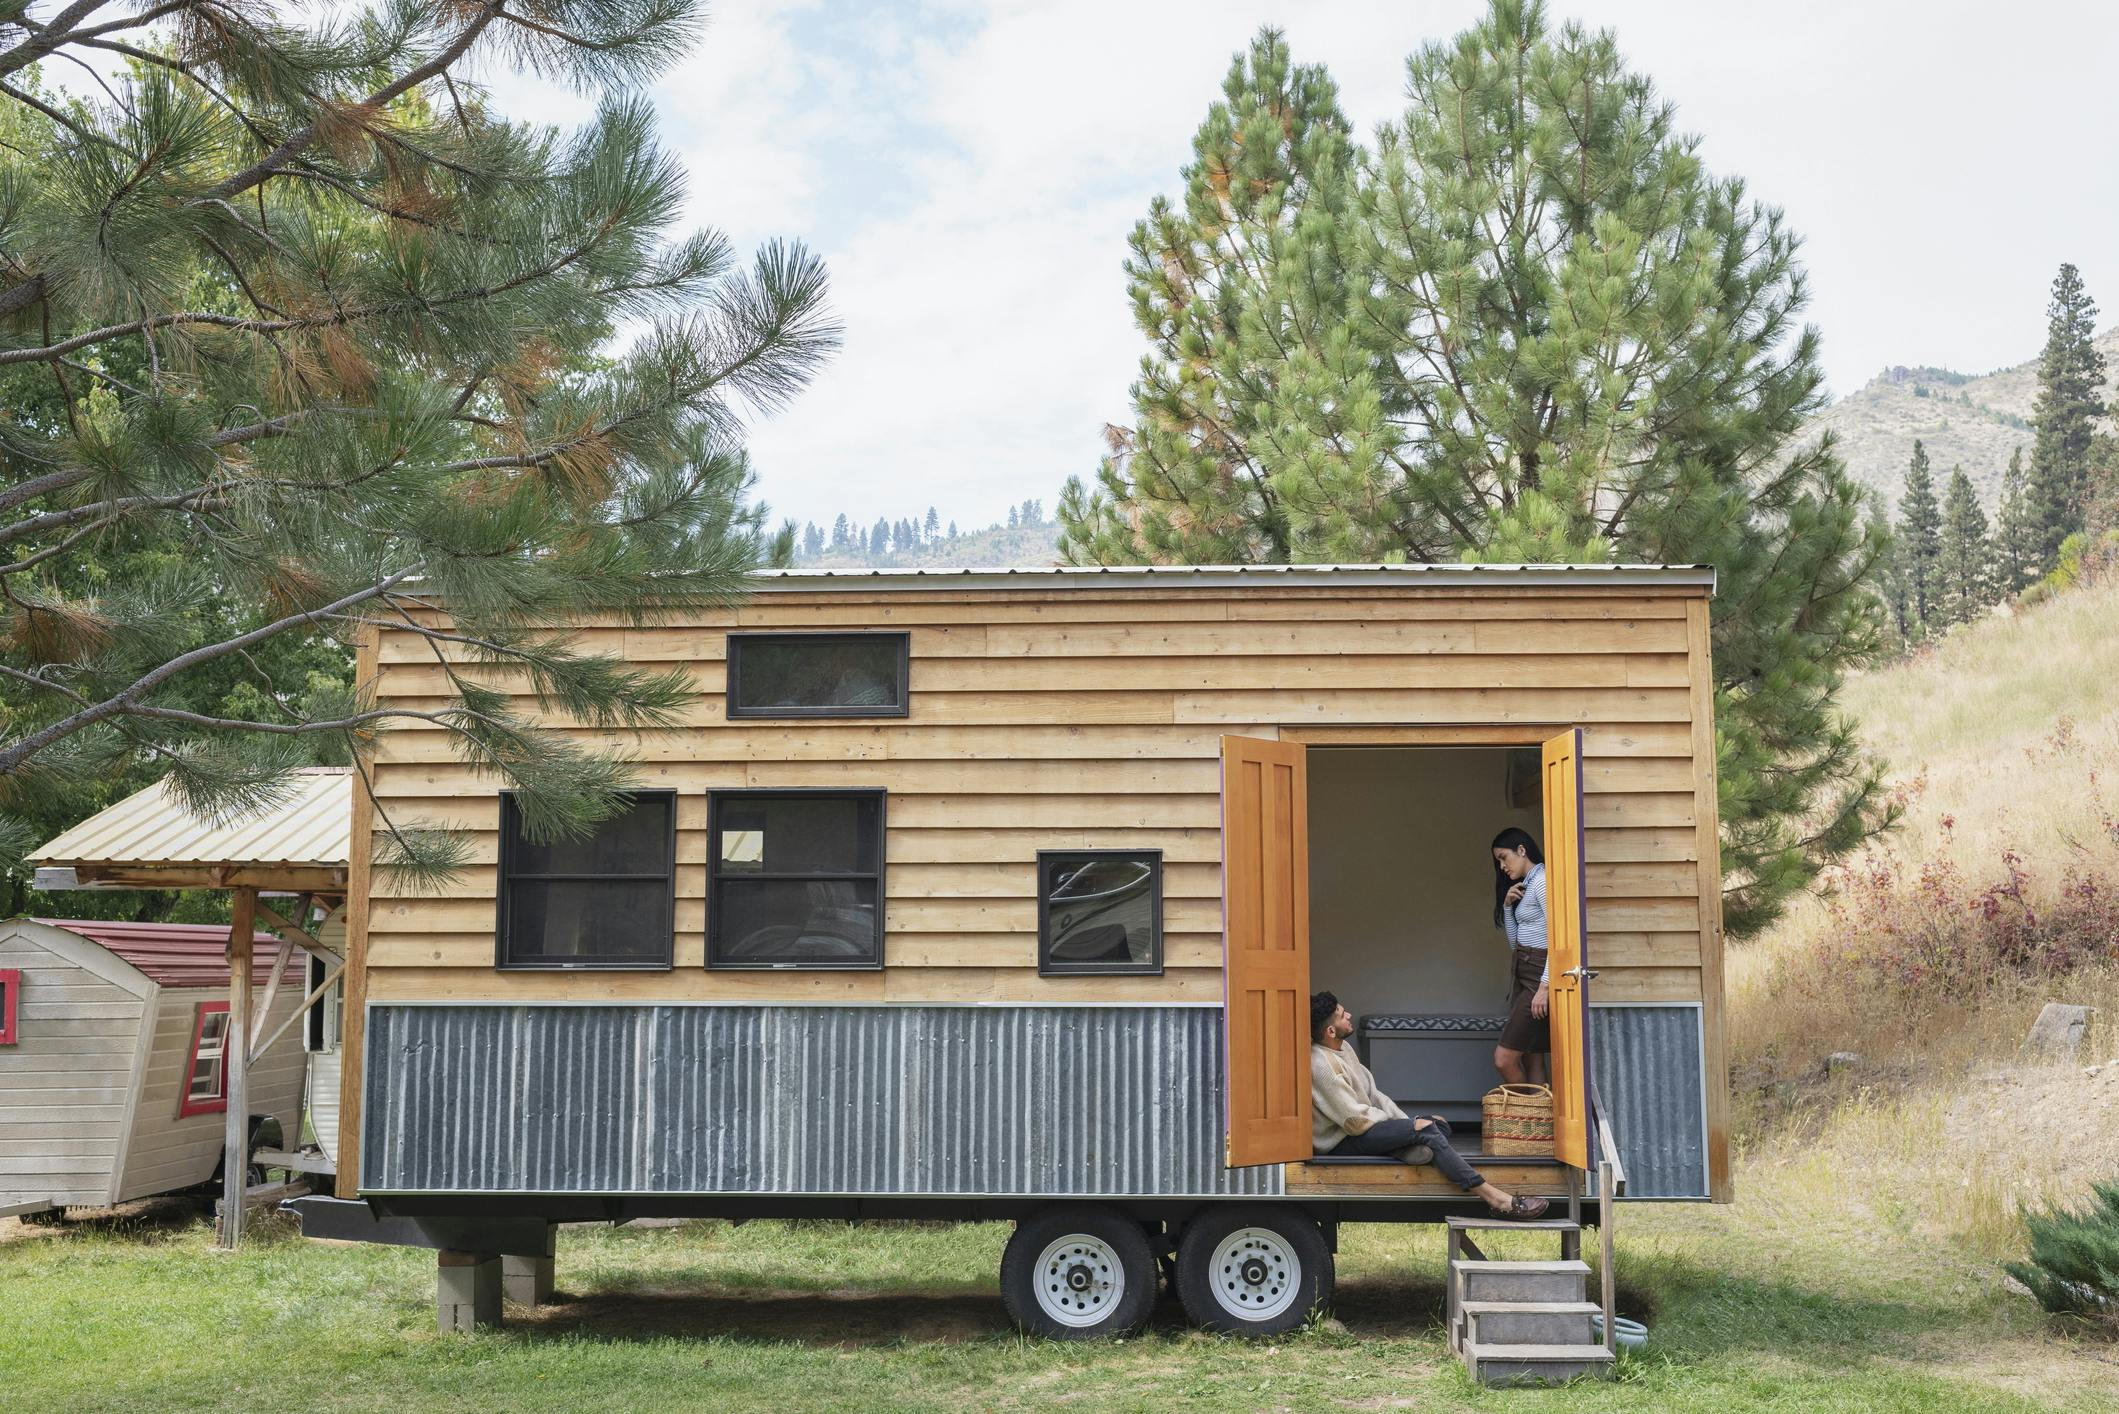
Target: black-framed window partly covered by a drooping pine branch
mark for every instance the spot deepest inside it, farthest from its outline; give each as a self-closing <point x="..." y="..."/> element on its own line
<point x="601" y="902"/>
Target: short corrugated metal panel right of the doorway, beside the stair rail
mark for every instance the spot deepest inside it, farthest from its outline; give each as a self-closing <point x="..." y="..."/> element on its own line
<point x="1650" y="1072"/>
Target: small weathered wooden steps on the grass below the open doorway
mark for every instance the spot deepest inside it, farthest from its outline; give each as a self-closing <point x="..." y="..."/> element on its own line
<point x="1523" y="1322"/>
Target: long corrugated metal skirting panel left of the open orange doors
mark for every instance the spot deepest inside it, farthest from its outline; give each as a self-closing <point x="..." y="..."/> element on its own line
<point x="1120" y="1101"/>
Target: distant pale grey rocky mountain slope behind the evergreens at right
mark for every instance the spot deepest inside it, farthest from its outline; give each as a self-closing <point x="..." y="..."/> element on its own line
<point x="1963" y="421"/>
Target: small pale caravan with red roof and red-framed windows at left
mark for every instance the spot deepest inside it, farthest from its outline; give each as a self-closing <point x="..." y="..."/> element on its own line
<point x="113" y="1061"/>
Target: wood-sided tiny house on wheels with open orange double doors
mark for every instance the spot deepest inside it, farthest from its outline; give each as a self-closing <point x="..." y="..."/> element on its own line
<point x="1001" y="896"/>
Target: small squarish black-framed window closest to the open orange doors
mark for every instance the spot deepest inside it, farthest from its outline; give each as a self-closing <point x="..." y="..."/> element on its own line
<point x="1101" y="913"/>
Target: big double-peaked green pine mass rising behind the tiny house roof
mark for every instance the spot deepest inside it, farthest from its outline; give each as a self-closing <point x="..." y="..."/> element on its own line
<point x="1527" y="325"/>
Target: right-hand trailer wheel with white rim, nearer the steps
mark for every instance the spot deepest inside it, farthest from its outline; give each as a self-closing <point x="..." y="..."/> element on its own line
<point x="1253" y="1271"/>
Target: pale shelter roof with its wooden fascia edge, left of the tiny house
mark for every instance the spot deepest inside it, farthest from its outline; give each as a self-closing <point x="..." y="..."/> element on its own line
<point x="149" y="841"/>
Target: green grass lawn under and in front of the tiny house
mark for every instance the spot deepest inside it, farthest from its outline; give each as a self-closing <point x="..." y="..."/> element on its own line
<point x="1753" y="1307"/>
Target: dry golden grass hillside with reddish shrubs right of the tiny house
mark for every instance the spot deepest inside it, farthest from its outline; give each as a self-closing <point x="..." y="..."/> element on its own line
<point x="1940" y="947"/>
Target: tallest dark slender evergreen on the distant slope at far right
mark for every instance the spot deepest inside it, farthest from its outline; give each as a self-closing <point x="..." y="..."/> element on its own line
<point x="2071" y="400"/>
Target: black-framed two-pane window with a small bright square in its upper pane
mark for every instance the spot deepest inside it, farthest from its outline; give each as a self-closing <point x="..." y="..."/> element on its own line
<point x="796" y="879"/>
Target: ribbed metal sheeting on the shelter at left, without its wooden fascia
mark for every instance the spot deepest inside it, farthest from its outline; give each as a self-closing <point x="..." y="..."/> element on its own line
<point x="310" y="828"/>
